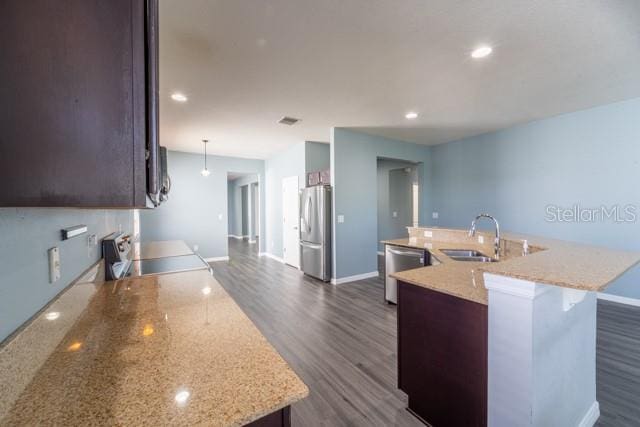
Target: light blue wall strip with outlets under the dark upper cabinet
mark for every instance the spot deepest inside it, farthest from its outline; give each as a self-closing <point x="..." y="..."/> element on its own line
<point x="27" y="234"/>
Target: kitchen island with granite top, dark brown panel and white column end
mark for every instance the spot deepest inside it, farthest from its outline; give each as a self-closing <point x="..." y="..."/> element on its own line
<point x="502" y="343"/>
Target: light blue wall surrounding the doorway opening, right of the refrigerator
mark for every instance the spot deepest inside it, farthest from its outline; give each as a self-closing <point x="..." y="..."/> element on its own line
<point x="354" y="158"/>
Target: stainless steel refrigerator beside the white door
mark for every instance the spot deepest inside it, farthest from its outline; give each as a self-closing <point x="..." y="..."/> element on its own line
<point x="315" y="231"/>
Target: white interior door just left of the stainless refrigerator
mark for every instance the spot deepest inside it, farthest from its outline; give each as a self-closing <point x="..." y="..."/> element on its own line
<point x="290" y="221"/>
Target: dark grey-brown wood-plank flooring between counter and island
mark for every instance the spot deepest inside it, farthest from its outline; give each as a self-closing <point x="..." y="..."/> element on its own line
<point x="341" y="340"/>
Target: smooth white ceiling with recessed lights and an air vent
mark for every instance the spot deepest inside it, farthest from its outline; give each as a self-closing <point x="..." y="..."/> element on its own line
<point x="364" y="63"/>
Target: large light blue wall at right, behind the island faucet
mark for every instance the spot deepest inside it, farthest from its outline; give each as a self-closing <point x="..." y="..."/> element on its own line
<point x="590" y="158"/>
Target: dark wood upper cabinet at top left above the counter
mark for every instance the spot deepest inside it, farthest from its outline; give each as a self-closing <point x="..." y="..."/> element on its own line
<point x="78" y="102"/>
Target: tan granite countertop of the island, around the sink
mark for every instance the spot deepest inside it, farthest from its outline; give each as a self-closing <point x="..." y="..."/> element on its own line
<point x="550" y="261"/>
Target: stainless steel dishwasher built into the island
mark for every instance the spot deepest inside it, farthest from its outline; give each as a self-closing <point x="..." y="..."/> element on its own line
<point x="399" y="258"/>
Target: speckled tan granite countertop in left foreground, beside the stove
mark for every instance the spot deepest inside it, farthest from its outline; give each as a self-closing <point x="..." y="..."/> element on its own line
<point x="173" y="349"/>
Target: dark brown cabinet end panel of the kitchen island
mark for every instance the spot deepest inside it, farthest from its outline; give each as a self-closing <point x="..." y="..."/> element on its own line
<point x="442" y="356"/>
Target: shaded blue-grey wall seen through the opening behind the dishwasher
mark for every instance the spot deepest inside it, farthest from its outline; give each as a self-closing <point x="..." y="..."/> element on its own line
<point x="390" y="199"/>
